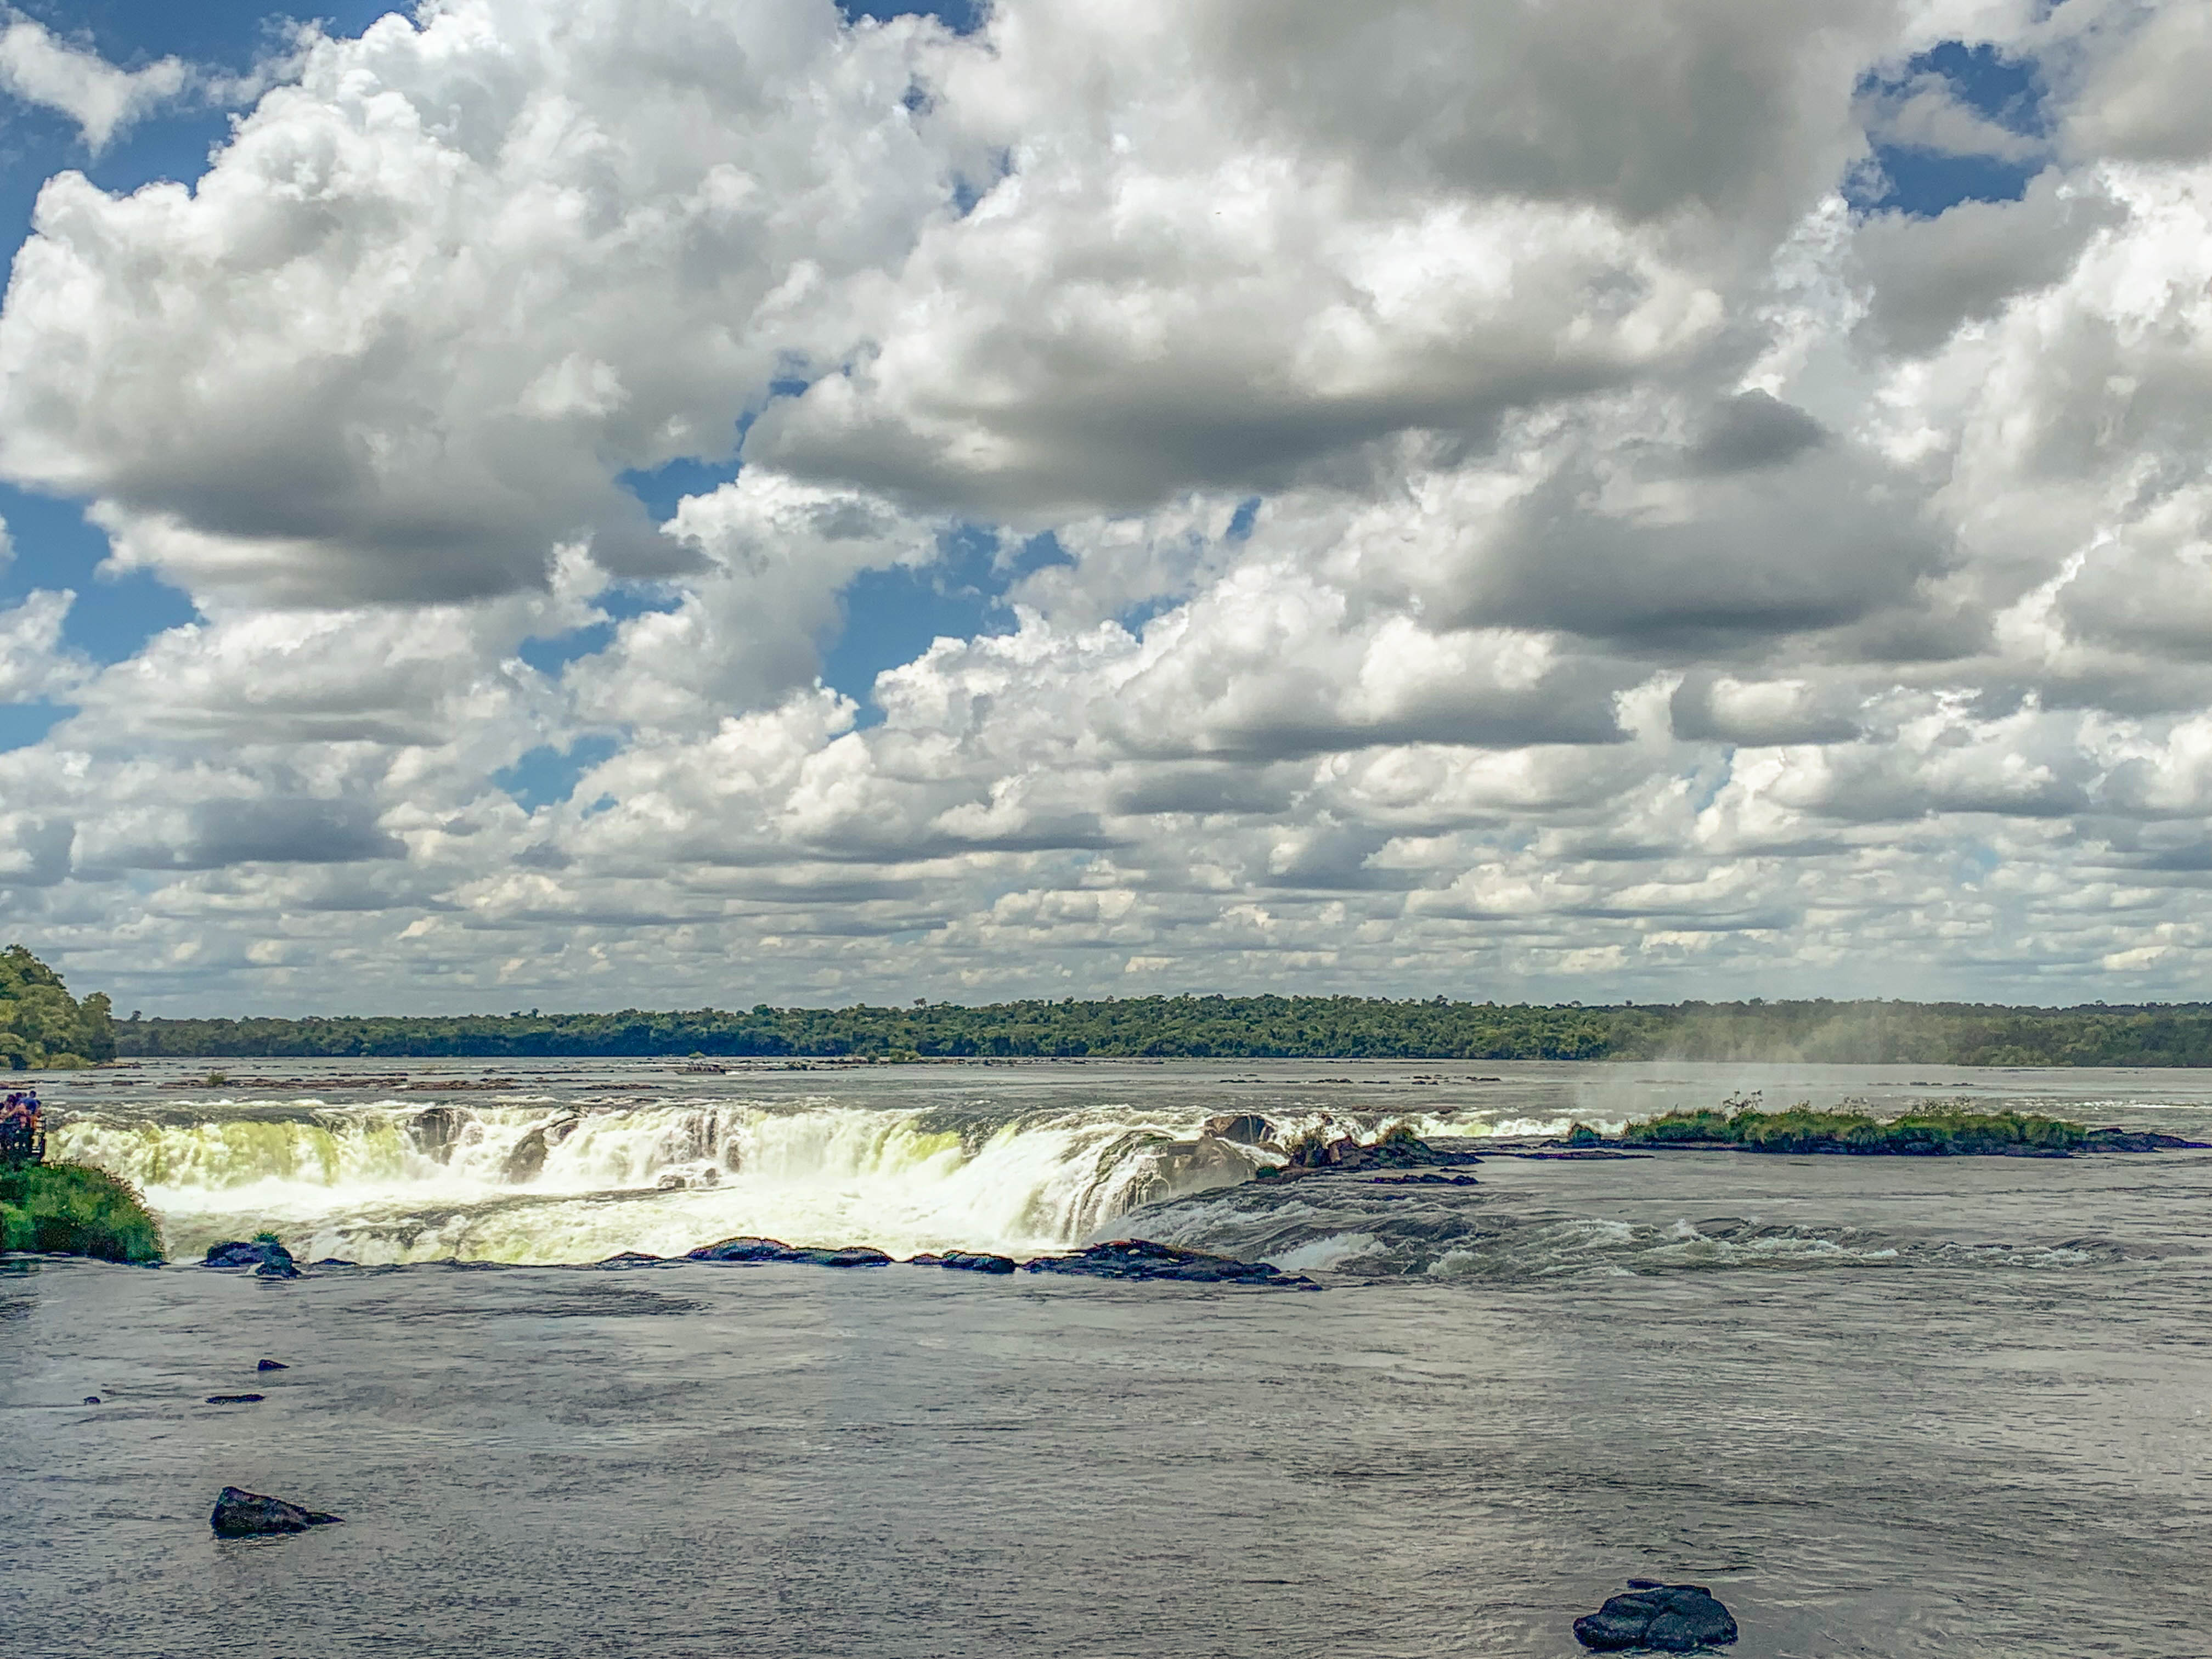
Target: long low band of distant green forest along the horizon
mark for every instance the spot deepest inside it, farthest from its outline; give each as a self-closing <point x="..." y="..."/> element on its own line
<point x="1218" y="1027"/>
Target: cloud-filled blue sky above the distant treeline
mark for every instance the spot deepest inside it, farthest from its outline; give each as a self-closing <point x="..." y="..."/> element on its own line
<point x="680" y="503"/>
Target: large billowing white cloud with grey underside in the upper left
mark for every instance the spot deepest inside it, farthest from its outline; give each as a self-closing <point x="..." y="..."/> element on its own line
<point x="450" y="284"/>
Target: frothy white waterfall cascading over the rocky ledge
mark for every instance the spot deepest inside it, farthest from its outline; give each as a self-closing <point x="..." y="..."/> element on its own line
<point x="547" y="1182"/>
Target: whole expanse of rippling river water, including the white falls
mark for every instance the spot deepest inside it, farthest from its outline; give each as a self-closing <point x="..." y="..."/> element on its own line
<point x="1881" y="1406"/>
